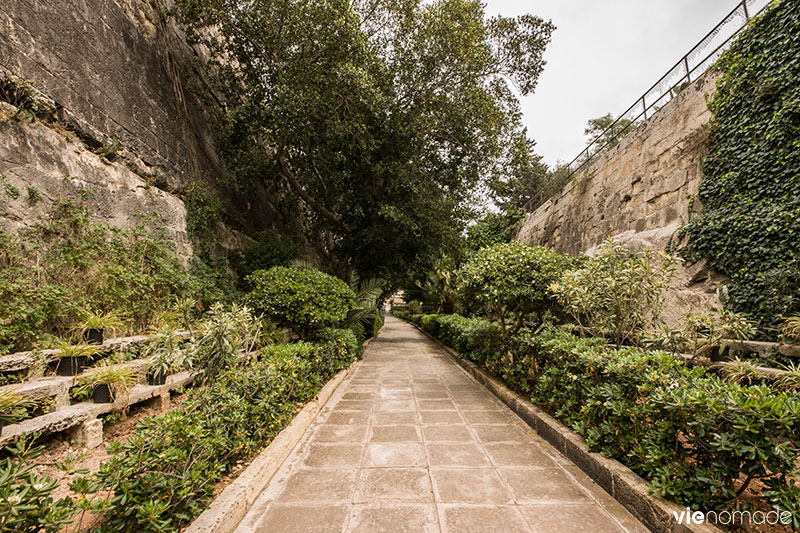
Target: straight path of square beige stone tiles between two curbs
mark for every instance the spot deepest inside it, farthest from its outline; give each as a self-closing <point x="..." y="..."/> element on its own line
<point x="411" y="443"/>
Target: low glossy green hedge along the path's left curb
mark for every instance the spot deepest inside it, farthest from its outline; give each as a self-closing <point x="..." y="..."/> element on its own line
<point x="165" y="476"/>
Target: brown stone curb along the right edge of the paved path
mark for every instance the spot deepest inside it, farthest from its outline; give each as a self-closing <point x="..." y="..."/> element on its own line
<point x="618" y="480"/>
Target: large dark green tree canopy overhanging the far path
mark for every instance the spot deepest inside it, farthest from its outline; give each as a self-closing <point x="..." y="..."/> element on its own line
<point x="384" y="116"/>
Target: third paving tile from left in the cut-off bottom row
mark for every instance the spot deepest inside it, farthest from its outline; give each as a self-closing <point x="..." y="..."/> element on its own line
<point x="461" y="518"/>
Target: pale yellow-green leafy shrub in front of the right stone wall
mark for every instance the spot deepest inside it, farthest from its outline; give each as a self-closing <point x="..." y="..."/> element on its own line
<point x="617" y="294"/>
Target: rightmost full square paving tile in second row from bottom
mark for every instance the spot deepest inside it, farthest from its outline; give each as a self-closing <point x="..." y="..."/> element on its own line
<point x="542" y="485"/>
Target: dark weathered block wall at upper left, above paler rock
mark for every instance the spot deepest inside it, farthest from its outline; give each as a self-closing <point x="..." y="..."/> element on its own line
<point x="118" y="70"/>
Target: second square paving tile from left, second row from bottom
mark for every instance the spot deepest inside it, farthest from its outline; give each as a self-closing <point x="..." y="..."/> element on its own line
<point x="393" y="484"/>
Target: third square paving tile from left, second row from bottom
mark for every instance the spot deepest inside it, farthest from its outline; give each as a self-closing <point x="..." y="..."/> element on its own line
<point x="469" y="485"/>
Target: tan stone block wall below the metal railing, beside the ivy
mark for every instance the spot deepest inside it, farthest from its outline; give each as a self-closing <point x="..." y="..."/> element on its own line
<point x="639" y="192"/>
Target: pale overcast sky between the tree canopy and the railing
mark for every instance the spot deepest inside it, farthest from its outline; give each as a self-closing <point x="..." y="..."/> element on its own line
<point x="604" y="55"/>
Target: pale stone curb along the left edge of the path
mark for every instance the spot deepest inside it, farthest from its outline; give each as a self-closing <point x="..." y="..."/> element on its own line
<point x="232" y="504"/>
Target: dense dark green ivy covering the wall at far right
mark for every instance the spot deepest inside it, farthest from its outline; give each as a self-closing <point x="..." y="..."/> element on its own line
<point x="749" y="228"/>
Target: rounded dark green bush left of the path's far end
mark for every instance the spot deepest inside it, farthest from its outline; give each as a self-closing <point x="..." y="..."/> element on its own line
<point x="303" y="299"/>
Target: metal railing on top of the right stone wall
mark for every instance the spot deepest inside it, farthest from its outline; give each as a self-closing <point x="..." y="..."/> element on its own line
<point x="690" y="67"/>
